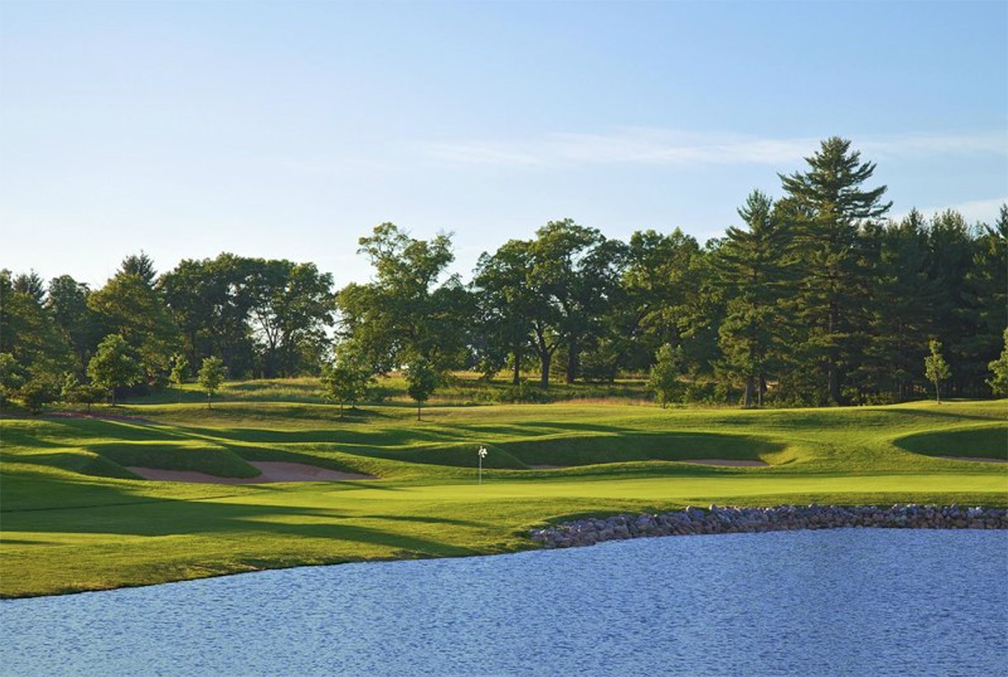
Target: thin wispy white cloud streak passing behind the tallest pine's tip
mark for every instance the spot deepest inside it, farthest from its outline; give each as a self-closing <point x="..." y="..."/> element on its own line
<point x="645" y="146"/>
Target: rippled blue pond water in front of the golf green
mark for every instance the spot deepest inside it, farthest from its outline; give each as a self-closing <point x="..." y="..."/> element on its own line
<point x="850" y="602"/>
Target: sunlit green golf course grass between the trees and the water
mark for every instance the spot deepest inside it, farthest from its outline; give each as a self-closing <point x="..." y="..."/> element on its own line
<point x="74" y="520"/>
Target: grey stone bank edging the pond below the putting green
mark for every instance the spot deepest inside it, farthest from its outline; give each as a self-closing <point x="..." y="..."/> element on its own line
<point x="721" y="520"/>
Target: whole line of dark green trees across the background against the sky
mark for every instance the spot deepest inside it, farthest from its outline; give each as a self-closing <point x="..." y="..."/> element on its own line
<point x="815" y="299"/>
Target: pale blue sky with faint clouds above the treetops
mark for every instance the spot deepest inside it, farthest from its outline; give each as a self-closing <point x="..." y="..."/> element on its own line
<point x="289" y="130"/>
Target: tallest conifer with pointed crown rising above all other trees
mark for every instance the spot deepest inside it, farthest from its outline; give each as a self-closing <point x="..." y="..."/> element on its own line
<point x="828" y="208"/>
